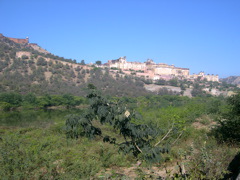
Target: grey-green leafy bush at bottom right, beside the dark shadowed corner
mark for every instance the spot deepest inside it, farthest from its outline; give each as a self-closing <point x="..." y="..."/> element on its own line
<point x="208" y="161"/>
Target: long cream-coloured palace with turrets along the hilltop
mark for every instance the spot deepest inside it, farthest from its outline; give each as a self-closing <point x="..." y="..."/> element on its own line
<point x="151" y="70"/>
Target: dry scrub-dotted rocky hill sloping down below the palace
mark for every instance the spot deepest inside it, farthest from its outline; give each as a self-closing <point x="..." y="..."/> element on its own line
<point x="26" y="67"/>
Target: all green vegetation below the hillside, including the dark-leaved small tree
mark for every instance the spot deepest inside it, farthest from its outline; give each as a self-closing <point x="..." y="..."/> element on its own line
<point x="184" y="124"/>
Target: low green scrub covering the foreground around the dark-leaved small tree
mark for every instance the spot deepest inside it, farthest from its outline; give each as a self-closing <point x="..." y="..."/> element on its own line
<point x="197" y="152"/>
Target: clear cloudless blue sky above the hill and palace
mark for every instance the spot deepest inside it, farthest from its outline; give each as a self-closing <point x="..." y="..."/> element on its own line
<point x="202" y="35"/>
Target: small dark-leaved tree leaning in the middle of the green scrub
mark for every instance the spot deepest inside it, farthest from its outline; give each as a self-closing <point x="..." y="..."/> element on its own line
<point x="139" y="139"/>
